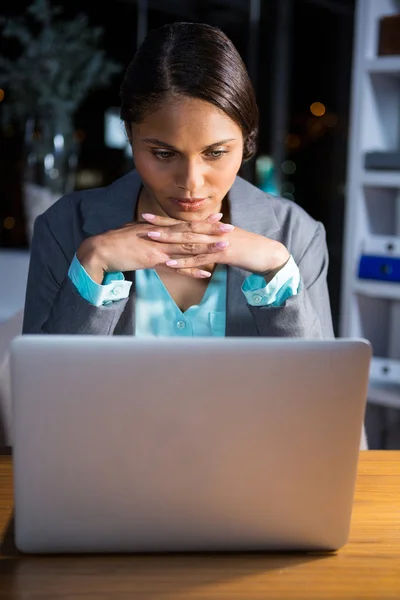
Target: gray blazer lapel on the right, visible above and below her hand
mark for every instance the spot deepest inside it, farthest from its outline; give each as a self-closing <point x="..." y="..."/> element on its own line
<point x="250" y="210"/>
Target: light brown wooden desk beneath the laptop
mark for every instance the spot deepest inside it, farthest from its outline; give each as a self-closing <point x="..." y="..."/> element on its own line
<point x="367" y="567"/>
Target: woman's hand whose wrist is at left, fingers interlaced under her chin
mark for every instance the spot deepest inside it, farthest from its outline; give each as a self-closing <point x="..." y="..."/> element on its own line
<point x="131" y="247"/>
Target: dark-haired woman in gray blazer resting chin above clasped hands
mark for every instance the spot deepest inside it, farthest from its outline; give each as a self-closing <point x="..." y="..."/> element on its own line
<point x="181" y="245"/>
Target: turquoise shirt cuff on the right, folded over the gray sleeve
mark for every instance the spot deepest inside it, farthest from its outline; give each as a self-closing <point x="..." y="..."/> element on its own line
<point x="285" y="284"/>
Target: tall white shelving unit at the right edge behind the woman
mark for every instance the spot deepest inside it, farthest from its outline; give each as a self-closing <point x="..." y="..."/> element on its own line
<point x="371" y="309"/>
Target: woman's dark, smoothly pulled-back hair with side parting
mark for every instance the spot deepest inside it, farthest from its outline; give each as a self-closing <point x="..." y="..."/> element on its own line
<point x="195" y="60"/>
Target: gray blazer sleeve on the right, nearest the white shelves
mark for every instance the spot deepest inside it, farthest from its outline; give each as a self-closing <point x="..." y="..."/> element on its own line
<point x="308" y="313"/>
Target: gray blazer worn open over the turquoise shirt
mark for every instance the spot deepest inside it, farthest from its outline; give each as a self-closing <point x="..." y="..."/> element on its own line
<point x="53" y="304"/>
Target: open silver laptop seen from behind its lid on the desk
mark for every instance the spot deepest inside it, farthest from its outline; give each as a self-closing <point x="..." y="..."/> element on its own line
<point x="126" y="444"/>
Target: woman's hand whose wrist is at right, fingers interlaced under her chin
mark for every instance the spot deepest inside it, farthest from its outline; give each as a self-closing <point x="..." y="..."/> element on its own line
<point x="239" y="248"/>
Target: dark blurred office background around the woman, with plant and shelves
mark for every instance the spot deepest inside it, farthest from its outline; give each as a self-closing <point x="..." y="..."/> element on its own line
<point x="60" y="129"/>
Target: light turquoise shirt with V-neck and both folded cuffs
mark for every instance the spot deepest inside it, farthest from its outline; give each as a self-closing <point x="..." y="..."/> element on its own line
<point x="158" y="315"/>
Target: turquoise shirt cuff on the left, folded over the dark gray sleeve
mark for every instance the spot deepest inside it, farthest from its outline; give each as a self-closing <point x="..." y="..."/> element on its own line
<point x="113" y="288"/>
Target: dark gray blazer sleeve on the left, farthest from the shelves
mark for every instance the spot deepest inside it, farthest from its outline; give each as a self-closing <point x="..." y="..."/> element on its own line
<point x="52" y="303"/>
